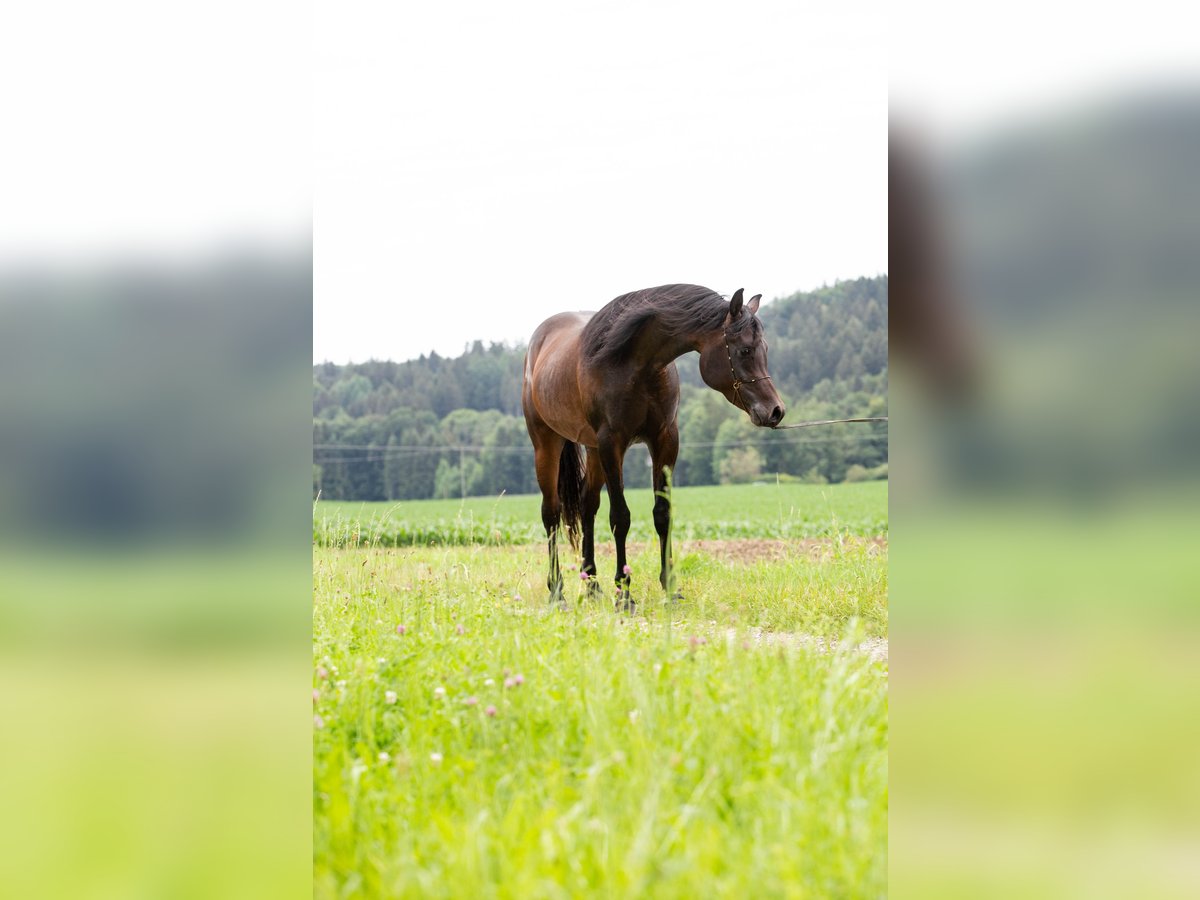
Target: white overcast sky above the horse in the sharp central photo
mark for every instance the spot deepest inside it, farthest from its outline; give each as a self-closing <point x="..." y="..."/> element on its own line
<point x="483" y="166"/>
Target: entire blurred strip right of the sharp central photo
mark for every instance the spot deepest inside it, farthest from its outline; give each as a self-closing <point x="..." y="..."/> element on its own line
<point x="1046" y="275"/>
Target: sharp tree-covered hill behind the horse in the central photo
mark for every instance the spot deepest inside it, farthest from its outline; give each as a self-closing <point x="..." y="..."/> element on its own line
<point x="445" y="428"/>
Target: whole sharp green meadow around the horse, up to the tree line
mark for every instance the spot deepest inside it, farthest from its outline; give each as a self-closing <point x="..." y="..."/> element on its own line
<point x="473" y="741"/>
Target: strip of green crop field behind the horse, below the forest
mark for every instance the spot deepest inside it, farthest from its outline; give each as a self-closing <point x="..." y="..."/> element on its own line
<point x="767" y="511"/>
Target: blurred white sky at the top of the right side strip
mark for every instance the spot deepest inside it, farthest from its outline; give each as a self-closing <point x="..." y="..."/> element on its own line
<point x="965" y="71"/>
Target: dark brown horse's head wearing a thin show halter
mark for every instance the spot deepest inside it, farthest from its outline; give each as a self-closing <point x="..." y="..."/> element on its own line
<point x="734" y="362"/>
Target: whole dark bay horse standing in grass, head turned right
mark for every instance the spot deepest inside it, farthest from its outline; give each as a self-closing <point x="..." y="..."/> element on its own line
<point x="608" y="380"/>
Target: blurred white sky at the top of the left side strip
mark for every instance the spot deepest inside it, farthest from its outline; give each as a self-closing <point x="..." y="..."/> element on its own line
<point x="141" y="128"/>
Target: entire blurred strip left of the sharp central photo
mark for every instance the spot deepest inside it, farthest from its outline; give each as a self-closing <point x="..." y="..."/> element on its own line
<point x="155" y="353"/>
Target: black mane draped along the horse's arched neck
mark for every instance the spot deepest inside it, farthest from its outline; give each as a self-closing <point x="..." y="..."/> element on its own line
<point x="679" y="309"/>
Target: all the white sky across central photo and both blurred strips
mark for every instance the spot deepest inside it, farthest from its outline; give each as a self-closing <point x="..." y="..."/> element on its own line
<point x="470" y="169"/>
